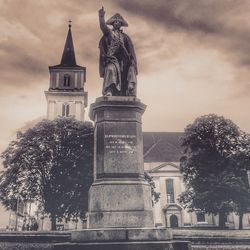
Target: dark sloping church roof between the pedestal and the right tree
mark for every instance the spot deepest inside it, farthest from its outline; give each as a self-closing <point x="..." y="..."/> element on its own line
<point x="162" y="146"/>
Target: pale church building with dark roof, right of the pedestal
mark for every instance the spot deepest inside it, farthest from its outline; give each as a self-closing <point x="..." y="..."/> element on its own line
<point x="162" y="152"/>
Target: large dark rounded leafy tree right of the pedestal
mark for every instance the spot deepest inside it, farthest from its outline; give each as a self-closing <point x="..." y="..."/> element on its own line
<point x="211" y="167"/>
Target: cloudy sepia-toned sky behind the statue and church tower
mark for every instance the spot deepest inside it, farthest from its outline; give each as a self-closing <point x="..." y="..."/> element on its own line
<point x="193" y="57"/>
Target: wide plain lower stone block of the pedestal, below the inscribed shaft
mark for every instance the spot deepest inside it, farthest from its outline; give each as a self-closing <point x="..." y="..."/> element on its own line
<point x="120" y="204"/>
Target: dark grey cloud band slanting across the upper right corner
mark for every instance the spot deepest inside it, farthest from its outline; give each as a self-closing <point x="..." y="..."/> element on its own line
<point x="219" y="24"/>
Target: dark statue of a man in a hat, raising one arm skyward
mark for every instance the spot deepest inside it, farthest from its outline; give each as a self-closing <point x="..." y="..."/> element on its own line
<point x="118" y="64"/>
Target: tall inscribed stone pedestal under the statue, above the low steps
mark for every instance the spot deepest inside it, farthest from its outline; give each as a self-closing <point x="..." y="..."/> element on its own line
<point x="119" y="196"/>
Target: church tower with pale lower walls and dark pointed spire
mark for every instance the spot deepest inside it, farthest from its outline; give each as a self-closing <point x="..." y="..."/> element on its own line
<point x="66" y="96"/>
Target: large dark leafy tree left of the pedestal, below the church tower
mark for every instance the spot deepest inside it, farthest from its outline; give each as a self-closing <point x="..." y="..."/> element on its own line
<point x="52" y="163"/>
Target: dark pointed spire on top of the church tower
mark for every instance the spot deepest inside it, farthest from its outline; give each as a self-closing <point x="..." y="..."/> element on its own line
<point x="68" y="57"/>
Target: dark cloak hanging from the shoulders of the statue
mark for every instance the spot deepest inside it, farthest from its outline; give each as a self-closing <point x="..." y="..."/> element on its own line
<point x="128" y="59"/>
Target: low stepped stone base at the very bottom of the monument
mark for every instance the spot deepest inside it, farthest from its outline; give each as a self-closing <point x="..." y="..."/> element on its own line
<point x="123" y="239"/>
